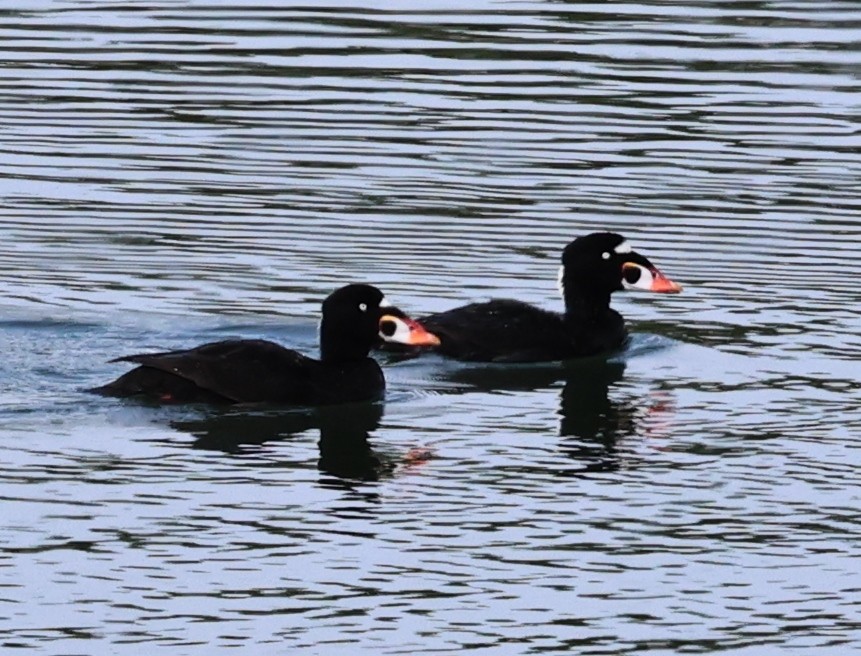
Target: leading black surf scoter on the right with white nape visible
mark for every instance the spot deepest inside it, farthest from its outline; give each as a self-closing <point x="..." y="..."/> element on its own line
<point x="593" y="267"/>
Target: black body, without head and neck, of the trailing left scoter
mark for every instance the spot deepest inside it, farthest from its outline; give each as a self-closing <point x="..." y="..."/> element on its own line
<point x="246" y="371"/>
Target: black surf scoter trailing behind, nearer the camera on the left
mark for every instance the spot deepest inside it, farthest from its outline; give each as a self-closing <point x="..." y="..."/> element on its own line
<point x="355" y="319"/>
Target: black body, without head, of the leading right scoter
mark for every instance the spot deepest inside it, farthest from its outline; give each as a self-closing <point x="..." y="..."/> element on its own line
<point x="506" y="330"/>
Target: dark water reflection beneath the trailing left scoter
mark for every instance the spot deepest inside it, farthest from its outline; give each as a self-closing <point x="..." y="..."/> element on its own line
<point x="345" y="449"/>
